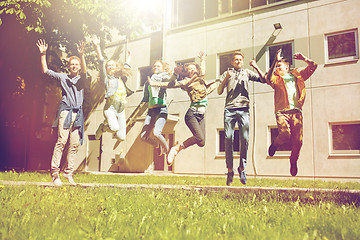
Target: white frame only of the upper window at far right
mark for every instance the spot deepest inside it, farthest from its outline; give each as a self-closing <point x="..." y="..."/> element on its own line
<point x="341" y="59"/>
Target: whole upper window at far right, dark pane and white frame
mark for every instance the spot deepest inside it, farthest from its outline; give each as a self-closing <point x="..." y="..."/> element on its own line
<point x="341" y="46"/>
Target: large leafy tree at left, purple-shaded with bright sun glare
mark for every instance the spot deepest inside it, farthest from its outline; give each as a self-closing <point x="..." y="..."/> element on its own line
<point x="62" y="23"/>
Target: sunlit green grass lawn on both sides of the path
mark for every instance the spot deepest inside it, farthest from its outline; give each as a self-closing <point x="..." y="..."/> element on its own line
<point x="34" y="212"/>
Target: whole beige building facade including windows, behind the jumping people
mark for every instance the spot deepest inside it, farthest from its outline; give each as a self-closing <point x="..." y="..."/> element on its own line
<point x="324" y="30"/>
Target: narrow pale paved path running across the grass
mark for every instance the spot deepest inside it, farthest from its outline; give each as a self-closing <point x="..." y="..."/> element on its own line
<point x="243" y="189"/>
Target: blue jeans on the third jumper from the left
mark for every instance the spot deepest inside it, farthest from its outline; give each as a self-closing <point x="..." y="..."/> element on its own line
<point x="155" y="121"/>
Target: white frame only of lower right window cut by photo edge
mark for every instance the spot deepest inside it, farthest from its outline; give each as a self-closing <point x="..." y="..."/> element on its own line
<point x="341" y="153"/>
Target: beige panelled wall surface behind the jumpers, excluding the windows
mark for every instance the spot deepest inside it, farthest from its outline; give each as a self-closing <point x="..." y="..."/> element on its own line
<point x="333" y="92"/>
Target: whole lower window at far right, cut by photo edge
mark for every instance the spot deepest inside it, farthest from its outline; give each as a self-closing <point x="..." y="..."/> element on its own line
<point x="345" y="138"/>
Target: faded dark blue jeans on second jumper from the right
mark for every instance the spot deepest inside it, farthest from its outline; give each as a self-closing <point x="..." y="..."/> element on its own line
<point x="240" y="116"/>
